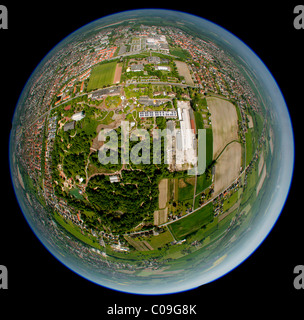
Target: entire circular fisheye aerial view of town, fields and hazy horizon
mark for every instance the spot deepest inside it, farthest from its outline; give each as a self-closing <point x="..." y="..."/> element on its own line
<point x="151" y="151"/>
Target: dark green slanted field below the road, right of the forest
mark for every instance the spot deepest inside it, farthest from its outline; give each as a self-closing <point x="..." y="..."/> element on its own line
<point x="195" y="221"/>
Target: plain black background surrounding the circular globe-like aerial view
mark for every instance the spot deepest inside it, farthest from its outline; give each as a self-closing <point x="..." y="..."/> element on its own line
<point x="264" y="282"/>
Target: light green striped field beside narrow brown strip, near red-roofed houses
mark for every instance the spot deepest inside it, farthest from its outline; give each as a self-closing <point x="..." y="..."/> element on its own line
<point x="102" y="75"/>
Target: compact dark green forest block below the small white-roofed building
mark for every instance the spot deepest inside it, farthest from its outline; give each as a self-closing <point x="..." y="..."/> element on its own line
<point x="122" y="206"/>
